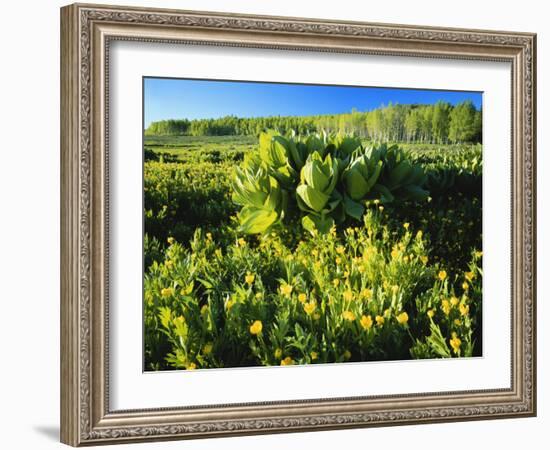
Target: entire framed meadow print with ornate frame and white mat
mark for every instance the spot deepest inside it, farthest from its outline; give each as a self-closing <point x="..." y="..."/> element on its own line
<point x="282" y="224"/>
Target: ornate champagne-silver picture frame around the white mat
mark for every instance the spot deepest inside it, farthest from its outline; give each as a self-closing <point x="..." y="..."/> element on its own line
<point x="87" y="32"/>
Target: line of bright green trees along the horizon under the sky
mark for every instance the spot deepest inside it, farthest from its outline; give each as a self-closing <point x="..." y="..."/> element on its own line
<point x="438" y="123"/>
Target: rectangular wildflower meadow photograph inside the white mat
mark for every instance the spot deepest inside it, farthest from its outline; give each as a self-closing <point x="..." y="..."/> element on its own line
<point x="295" y="224"/>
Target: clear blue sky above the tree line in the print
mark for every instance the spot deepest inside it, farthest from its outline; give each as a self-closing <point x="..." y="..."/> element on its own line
<point x="166" y="98"/>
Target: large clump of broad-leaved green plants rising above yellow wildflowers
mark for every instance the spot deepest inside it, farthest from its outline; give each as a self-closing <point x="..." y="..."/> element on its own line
<point x="320" y="178"/>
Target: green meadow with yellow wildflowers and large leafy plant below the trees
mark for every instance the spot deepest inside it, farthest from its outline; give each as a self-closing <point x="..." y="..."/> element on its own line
<point x="307" y="250"/>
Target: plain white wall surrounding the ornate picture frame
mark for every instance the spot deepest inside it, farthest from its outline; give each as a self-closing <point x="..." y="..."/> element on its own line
<point x="29" y="224"/>
